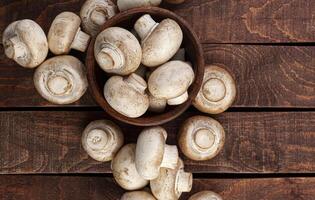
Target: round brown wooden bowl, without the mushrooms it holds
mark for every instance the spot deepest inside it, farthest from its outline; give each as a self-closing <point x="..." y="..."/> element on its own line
<point x="194" y="54"/>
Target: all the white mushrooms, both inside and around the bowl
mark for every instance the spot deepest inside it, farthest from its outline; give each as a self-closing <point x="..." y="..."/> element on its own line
<point x="148" y="74"/>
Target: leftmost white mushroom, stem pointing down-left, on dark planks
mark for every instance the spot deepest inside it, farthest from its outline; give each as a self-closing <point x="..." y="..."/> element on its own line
<point x="25" y="42"/>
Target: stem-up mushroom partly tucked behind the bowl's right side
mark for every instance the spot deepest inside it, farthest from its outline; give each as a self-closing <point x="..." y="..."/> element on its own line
<point x="218" y="91"/>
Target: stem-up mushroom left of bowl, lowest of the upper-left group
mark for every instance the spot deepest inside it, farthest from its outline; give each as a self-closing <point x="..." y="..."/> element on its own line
<point x="61" y="79"/>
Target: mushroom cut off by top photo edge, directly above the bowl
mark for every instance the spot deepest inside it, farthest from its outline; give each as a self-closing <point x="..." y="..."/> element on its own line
<point x="128" y="4"/>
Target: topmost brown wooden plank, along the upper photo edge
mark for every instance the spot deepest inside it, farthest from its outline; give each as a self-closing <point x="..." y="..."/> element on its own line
<point x="227" y="21"/>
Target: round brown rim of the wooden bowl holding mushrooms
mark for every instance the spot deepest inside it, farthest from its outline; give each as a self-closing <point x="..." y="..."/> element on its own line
<point x="159" y="118"/>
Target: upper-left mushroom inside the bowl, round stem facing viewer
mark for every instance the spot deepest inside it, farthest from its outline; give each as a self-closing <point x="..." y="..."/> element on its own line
<point x="117" y="51"/>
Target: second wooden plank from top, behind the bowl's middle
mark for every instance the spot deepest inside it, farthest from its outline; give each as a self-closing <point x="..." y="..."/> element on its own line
<point x="266" y="76"/>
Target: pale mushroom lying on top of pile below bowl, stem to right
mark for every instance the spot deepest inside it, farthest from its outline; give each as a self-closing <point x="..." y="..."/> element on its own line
<point x="152" y="153"/>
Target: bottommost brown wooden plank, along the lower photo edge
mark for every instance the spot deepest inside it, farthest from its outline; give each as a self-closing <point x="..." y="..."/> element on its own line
<point x="102" y="188"/>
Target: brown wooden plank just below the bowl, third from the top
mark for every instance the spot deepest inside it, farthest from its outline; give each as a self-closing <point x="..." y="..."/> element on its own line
<point x="262" y="142"/>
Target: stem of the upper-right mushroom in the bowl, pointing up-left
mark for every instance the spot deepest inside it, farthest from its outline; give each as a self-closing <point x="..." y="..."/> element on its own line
<point x="144" y="26"/>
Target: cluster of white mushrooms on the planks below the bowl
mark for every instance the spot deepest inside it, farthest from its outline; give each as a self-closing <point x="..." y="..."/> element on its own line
<point x="152" y="161"/>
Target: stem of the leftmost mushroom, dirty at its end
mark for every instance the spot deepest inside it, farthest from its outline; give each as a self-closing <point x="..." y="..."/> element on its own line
<point x="15" y="49"/>
